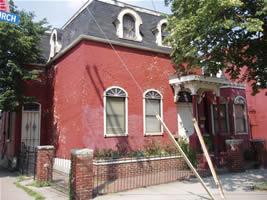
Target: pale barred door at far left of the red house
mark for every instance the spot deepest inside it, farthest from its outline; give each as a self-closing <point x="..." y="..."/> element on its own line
<point x="30" y="133"/>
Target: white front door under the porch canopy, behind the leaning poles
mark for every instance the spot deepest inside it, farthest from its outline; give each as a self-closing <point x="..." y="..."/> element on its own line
<point x="185" y="124"/>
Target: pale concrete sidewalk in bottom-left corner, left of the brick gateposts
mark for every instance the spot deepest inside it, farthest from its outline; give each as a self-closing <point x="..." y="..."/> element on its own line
<point x="8" y="190"/>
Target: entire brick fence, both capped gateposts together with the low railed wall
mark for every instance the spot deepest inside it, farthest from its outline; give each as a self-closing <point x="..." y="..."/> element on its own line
<point x="89" y="177"/>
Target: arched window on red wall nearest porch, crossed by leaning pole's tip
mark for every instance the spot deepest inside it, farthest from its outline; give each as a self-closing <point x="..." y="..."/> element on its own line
<point x="152" y="107"/>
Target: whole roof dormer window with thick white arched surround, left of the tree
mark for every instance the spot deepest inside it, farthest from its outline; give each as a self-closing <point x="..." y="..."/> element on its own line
<point x="128" y="25"/>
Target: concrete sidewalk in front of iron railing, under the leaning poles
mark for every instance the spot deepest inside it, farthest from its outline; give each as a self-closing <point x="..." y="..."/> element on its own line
<point x="236" y="186"/>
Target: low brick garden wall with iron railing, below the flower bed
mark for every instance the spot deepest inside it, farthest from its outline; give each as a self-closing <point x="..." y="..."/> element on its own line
<point x="114" y="176"/>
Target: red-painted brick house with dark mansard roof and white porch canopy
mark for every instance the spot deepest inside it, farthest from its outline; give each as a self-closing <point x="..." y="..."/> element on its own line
<point x="107" y="74"/>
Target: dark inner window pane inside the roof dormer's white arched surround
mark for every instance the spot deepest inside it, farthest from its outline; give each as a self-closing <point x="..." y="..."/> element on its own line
<point x="128" y="27"/>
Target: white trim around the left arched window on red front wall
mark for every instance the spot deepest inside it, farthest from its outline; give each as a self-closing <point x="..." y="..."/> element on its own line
<point x="126" y="114"/>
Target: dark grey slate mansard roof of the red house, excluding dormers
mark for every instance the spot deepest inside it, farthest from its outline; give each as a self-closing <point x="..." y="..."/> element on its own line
<point x="105" y="14"/>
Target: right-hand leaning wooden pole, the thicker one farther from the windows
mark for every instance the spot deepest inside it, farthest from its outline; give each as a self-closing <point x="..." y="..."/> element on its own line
<point x="205" y="151"/>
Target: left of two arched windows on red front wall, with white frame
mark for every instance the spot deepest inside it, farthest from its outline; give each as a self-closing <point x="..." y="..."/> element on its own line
<point x="116" y="111"/>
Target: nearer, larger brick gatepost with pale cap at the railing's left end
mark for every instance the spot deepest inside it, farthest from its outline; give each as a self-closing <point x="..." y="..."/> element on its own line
<point x="81" y="174"/>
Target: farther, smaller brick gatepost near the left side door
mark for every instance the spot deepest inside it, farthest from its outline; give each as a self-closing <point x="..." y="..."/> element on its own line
<point x="44" y="163"/>
